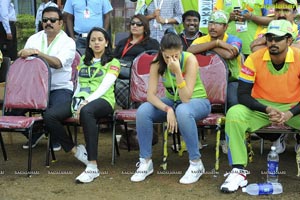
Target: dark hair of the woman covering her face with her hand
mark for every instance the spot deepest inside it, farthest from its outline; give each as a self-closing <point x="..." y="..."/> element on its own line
<point x="168" y="41"/>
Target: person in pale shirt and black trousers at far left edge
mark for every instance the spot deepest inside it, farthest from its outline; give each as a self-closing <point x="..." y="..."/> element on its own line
<point x="8" y="32"/>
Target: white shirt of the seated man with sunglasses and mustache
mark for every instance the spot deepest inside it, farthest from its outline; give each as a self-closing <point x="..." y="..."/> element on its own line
<point x="63" y="47"/>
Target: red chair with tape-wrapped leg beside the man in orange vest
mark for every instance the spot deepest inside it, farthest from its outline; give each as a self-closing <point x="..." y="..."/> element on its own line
<point x="214" y="74"/>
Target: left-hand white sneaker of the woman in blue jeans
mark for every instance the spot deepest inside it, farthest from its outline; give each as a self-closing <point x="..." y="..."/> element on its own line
<point x="144" y="169"/>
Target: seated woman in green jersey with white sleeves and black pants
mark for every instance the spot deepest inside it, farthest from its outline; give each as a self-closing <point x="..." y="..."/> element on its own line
<point x="93" y="99"/>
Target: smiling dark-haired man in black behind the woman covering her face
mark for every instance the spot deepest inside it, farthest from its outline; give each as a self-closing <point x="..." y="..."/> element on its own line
<point x="190" y="20"/>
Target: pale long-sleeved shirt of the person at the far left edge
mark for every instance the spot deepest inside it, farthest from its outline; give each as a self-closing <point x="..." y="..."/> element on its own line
<point x="7" y="13"/>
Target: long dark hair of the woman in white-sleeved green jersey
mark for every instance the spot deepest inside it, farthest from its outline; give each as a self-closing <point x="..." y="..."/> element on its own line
<point x="89" y="54"/>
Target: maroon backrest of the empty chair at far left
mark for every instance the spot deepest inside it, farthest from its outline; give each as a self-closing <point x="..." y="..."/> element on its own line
<point x="27" y="84"/>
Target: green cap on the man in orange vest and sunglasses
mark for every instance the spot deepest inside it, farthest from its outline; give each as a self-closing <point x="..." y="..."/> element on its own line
<point x="280" y="27"/>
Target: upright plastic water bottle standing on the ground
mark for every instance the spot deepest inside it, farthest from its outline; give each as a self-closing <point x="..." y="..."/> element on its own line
<point x="273" y="163"/>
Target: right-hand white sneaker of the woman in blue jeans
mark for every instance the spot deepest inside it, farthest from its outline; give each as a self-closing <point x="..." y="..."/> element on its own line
<point x="193" y="173"/>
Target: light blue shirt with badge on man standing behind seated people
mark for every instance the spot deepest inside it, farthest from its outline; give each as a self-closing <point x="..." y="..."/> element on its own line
<point x="87" y="13"/>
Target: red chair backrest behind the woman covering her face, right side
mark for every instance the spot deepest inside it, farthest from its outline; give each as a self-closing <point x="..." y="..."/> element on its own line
<point x="214" y="75"/>
